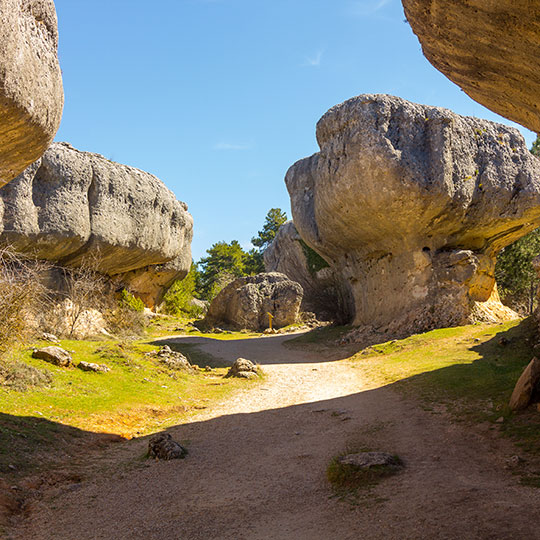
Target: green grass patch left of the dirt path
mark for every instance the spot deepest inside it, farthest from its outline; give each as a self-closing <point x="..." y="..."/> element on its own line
<point x="138" y="396"/>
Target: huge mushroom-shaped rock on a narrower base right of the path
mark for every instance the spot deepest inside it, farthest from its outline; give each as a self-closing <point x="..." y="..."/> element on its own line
<point x="411" y="204"/>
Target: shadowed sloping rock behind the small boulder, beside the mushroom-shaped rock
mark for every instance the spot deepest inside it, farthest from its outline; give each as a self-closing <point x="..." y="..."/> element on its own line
<point x="323" y="291"/>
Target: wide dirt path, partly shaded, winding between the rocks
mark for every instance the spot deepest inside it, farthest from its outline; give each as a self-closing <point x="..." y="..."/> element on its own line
<point x="256" y="468"/>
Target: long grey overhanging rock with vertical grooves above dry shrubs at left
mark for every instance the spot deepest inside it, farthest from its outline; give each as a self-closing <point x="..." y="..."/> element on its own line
<point x="71" y="206"/>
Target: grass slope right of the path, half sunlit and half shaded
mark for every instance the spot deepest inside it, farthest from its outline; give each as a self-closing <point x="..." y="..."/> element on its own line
<point x="466" y="370"/>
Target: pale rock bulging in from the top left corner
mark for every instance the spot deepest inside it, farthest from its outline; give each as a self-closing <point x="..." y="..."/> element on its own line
<point x="31" y="93"/>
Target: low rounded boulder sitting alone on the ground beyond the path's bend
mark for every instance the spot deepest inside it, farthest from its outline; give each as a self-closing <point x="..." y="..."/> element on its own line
<point x="247" y="301"/>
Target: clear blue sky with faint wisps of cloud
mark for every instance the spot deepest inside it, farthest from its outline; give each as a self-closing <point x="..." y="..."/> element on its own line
<point x="219" y="97"/>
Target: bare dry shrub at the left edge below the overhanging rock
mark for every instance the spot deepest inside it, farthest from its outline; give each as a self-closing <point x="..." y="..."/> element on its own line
<point x="22" y="297"/>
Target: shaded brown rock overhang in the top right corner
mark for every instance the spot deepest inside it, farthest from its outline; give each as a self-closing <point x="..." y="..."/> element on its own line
<point x="490" y="49"/>
